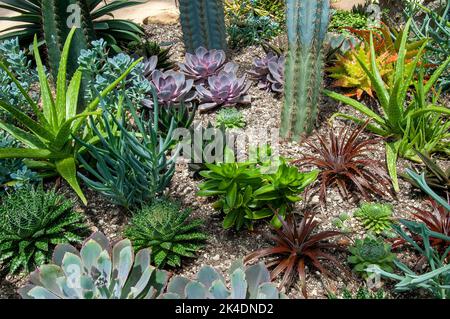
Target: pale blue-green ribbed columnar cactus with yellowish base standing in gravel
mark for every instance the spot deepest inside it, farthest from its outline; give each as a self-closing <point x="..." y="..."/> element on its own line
<point x="307" y="24"/>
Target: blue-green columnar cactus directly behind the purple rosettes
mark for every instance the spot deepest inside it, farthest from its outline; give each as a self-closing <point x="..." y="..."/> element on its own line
<point x="203" y="23"/>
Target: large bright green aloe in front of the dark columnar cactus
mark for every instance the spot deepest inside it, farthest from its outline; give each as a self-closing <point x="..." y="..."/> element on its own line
<point x="48" y="133"/>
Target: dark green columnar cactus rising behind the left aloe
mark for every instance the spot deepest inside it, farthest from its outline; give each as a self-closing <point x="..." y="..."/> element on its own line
<point x="58" y="17"/>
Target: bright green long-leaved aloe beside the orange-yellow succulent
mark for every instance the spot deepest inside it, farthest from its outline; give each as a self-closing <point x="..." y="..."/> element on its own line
<point x="415" y="125"/>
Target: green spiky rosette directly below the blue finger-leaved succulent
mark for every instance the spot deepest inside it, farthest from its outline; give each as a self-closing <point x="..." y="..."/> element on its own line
<point x="164" y="228"/>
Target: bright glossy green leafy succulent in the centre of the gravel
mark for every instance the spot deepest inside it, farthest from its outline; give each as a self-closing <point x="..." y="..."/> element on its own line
<point x="249" y="191"/>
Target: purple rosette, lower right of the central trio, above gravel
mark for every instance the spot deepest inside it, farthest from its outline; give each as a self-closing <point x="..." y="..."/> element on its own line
<point x="224" y="89"/>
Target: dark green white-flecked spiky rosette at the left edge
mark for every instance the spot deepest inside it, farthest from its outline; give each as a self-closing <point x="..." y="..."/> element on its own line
<point x="32" y="223"/>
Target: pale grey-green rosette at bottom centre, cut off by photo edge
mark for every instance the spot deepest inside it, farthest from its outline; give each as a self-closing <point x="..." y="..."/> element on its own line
<point x="246" y="283"/>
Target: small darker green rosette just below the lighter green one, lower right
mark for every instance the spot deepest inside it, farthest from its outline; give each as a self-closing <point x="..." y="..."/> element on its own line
<point x="371" y="251"/>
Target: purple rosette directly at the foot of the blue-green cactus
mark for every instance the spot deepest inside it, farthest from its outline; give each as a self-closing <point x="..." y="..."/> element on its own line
<point x="203" y="64"/>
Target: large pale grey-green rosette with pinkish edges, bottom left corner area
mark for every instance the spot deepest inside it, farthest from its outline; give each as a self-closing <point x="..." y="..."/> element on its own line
<point x="98" y="271"/>
